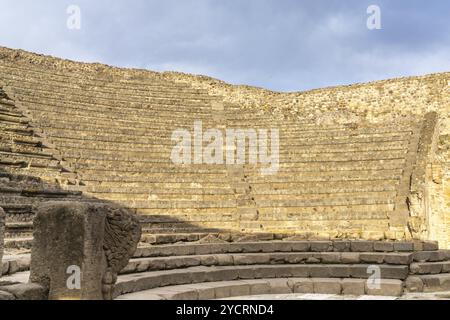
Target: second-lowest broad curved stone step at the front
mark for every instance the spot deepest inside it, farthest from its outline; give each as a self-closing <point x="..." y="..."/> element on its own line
<point x="154" y="279"/>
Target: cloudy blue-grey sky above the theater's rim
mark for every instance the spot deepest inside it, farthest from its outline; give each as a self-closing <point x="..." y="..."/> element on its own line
<point x="284" y="45"/>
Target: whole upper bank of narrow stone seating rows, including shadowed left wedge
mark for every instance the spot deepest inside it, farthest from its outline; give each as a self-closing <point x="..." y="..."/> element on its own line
<point x="94" y="133"/>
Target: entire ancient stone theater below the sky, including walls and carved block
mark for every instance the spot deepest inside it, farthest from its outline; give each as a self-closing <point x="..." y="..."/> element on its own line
<point x="132" y="184"/>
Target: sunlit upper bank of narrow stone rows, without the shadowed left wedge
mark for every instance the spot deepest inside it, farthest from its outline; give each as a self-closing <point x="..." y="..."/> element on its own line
<point x="115" y="134"/>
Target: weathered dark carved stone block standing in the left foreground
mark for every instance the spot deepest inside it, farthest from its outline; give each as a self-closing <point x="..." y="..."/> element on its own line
<point x="79" y="248"/>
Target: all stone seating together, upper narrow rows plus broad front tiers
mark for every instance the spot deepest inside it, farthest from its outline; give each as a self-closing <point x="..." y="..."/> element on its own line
<point x="95" y="133"/>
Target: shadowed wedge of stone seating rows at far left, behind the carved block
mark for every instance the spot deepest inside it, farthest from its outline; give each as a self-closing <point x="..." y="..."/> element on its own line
<point x="30" y="172"/>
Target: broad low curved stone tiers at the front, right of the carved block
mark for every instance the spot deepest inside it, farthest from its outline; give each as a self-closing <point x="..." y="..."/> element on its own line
<point x="222" y="270"/>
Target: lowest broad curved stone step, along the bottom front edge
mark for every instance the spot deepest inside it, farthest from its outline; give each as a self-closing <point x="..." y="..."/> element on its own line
<point x="243" y="288"/>
